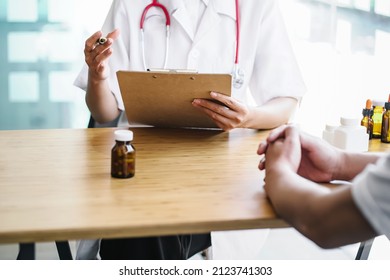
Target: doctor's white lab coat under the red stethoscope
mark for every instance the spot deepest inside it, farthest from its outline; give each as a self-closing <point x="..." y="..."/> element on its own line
<point x="265" y="56"/>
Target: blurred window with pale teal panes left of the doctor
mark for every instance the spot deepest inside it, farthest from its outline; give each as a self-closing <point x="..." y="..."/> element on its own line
<point x="42" y="52"/>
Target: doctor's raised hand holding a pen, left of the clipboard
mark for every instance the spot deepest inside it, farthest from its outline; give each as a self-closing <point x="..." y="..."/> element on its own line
<point x="96" y="55"/>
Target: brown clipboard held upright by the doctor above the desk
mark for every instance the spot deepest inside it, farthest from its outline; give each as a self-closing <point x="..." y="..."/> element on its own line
<point x="163" y="99"/>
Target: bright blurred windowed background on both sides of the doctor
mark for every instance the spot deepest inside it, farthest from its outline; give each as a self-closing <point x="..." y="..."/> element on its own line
<point x="342" y="46"/>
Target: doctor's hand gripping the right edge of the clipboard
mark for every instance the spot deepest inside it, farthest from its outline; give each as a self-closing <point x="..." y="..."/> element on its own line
<point x="229" y="113"/>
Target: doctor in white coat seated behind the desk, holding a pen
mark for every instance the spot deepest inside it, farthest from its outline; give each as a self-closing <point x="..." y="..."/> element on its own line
<point x="246" y="38"/>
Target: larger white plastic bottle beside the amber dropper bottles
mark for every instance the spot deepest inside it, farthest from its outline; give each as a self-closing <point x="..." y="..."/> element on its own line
<point x="351" y="136"/>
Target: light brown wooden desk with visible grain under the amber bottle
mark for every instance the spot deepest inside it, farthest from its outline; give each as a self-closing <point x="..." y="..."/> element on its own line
<point x="56" y="184"/>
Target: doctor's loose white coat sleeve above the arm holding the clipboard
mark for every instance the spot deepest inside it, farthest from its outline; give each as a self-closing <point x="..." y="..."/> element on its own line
<point x="276" y="72"/>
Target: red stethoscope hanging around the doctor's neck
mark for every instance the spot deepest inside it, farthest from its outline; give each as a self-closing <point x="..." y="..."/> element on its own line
<point x="237" y="73"/>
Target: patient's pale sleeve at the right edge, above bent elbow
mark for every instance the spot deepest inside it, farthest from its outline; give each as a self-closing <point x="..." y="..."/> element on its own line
<point x="371" y="193"/>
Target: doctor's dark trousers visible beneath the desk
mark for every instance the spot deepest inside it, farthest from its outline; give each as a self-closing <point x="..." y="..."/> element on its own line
<point x="175" y="247"/>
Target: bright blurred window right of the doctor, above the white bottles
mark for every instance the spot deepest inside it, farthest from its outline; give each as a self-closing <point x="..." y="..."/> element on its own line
<point x="343" y="49"/>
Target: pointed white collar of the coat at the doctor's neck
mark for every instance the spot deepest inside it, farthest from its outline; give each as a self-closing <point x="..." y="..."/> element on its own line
<point x="211" y="17"/>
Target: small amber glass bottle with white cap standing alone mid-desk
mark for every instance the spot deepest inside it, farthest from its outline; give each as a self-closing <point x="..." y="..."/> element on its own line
<point x="123" y="155"/>
